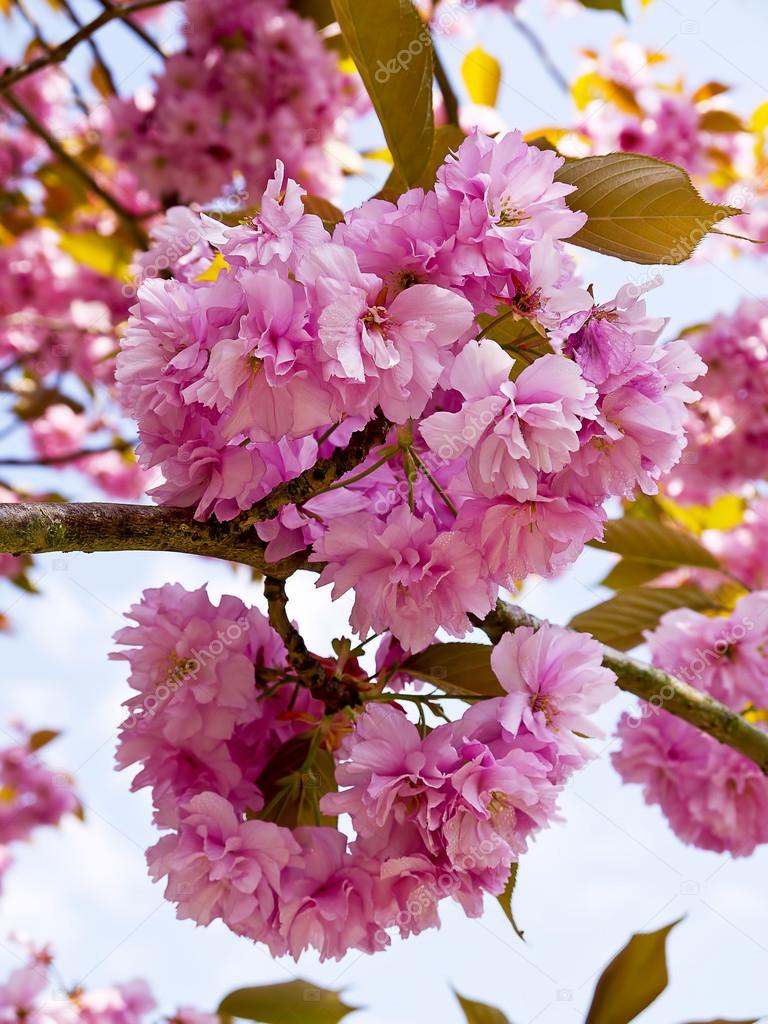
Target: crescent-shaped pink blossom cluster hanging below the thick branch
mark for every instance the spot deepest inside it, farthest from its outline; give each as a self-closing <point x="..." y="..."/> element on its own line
<point x="441" y="814"/>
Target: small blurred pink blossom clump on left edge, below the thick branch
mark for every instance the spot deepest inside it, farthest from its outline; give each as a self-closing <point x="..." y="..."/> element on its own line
<point x="33" y="795"/>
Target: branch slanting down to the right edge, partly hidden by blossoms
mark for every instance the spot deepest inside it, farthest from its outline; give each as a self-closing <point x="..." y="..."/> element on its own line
<point x="659" y="688"/>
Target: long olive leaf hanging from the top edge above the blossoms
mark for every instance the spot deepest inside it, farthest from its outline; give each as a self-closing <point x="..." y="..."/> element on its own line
<point x="393" y="49"/>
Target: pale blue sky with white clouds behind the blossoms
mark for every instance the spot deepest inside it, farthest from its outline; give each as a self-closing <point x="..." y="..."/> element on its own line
<point x="613" y="868"/>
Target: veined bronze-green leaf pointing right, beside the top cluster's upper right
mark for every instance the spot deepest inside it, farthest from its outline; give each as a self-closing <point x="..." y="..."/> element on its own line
<point x="639" y="209"/>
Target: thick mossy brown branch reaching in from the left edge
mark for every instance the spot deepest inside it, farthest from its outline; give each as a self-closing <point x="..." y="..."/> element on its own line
<point x="31" y="529"/>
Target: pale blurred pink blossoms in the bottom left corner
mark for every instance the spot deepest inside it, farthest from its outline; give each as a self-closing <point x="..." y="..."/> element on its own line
<point x="27" y="996"/>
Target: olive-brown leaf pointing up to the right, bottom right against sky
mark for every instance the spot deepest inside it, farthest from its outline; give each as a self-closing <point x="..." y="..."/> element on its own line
<point x="633" y="980"/>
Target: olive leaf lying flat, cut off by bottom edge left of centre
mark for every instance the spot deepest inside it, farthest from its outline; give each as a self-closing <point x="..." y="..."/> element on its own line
<point x="288" y="1003"/>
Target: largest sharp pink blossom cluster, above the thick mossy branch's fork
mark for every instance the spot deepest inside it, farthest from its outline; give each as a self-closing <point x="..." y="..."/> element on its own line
<point x="518" y="404"/>
